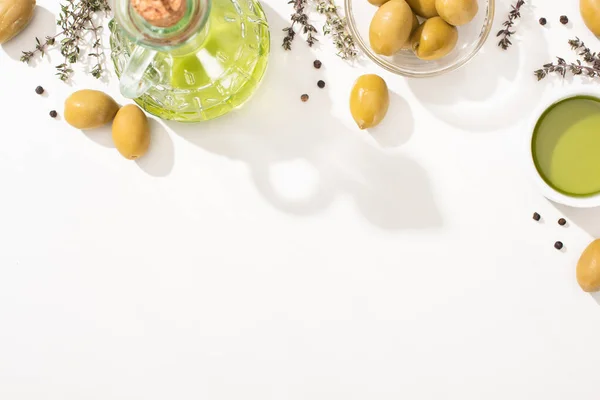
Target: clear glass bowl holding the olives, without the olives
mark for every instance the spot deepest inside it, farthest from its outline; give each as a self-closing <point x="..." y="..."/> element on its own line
<point x="471" y="38"/>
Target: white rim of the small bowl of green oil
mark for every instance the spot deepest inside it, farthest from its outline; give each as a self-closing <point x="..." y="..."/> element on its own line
<point x="532" y="172"/>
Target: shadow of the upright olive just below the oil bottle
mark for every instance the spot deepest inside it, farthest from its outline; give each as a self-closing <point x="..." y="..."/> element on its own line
<point x="160" y="158"/>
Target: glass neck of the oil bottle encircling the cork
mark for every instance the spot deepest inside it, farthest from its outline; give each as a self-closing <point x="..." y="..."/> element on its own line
<point x="170" y="32"/>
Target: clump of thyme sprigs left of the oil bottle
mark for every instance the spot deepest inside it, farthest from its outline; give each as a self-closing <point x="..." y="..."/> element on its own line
<point x="76" y="19"/>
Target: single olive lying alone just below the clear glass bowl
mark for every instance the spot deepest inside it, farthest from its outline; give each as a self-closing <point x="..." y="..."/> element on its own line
<point x="369" y="101"/>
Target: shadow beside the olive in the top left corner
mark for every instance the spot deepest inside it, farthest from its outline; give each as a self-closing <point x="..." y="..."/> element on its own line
<point x="41" y="25"/>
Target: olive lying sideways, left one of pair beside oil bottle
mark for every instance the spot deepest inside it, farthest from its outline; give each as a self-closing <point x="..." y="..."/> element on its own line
<point x="88" y="109"/>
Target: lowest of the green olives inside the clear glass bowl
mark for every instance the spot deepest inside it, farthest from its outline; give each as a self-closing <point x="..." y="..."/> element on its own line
<point x="434" y="39"/>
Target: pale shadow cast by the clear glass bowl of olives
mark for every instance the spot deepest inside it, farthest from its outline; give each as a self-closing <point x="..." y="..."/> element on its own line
<point x="495" y="89"/>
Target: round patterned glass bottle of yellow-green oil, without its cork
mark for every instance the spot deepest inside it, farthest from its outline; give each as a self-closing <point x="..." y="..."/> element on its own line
<point x="204" y="65"/>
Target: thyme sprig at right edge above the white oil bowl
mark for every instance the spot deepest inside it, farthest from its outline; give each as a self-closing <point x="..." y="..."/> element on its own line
<point x="561" y="67"/>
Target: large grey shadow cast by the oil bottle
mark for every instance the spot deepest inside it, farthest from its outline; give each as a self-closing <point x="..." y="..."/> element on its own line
<point x="280" y="138"/>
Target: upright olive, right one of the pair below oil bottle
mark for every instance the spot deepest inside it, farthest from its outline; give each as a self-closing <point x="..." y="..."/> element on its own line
<point x="131" y="132"/>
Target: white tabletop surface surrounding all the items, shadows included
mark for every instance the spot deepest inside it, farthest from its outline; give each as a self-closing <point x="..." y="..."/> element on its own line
<point x="281" y="253"/>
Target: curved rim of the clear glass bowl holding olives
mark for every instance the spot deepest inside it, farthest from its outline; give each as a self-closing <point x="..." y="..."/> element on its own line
<point x="487" y="27"/>
